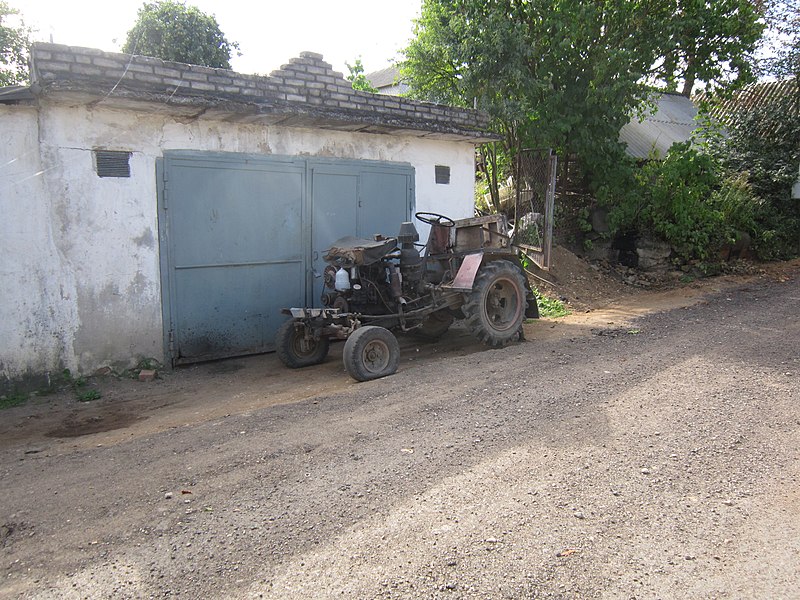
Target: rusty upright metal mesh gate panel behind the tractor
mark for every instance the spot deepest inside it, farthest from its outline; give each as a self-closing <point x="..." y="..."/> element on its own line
<point x="535" y="177"/>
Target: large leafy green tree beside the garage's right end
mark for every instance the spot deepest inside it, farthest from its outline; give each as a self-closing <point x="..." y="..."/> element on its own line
<point x="565" y="75"/>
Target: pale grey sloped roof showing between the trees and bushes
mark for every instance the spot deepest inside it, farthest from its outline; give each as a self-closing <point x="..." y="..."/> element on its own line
<point x="672" y="120"/>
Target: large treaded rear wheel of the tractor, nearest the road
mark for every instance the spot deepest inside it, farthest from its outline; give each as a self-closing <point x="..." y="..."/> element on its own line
<point x="496" y="306"/>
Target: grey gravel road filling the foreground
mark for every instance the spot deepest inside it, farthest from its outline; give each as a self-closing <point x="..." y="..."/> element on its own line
<point x="604" y="458"/>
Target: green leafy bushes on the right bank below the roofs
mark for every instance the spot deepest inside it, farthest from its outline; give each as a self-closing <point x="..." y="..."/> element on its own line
<point x="730" y="182"/>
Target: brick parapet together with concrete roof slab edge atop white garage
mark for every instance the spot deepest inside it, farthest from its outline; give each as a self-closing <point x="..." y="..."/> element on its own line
<point x="306" y="92"/>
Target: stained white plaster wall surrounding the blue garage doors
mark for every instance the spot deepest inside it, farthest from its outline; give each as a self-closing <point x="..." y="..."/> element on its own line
<point x="81" y="252"/>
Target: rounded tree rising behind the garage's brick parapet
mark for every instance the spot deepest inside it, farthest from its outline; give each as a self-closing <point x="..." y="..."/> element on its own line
<point x="174" y="31"/>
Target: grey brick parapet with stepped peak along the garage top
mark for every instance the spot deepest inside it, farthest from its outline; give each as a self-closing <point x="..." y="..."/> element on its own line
<point x="306" y="84"/>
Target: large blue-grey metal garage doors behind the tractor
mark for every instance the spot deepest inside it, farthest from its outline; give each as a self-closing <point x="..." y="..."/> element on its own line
<point x="243" y="236"/>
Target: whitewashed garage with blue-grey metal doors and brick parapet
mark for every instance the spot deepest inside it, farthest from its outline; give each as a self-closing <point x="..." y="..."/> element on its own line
<point x="166" y="212"/>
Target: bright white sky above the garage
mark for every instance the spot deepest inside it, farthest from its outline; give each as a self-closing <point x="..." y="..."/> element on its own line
<point x="269" y="32"/>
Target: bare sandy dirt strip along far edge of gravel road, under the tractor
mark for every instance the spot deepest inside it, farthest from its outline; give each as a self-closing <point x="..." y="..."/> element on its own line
<point x="129" y="408"/>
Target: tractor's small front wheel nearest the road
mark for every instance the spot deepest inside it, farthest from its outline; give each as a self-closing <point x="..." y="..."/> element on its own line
<point x="371" y="352"/>
